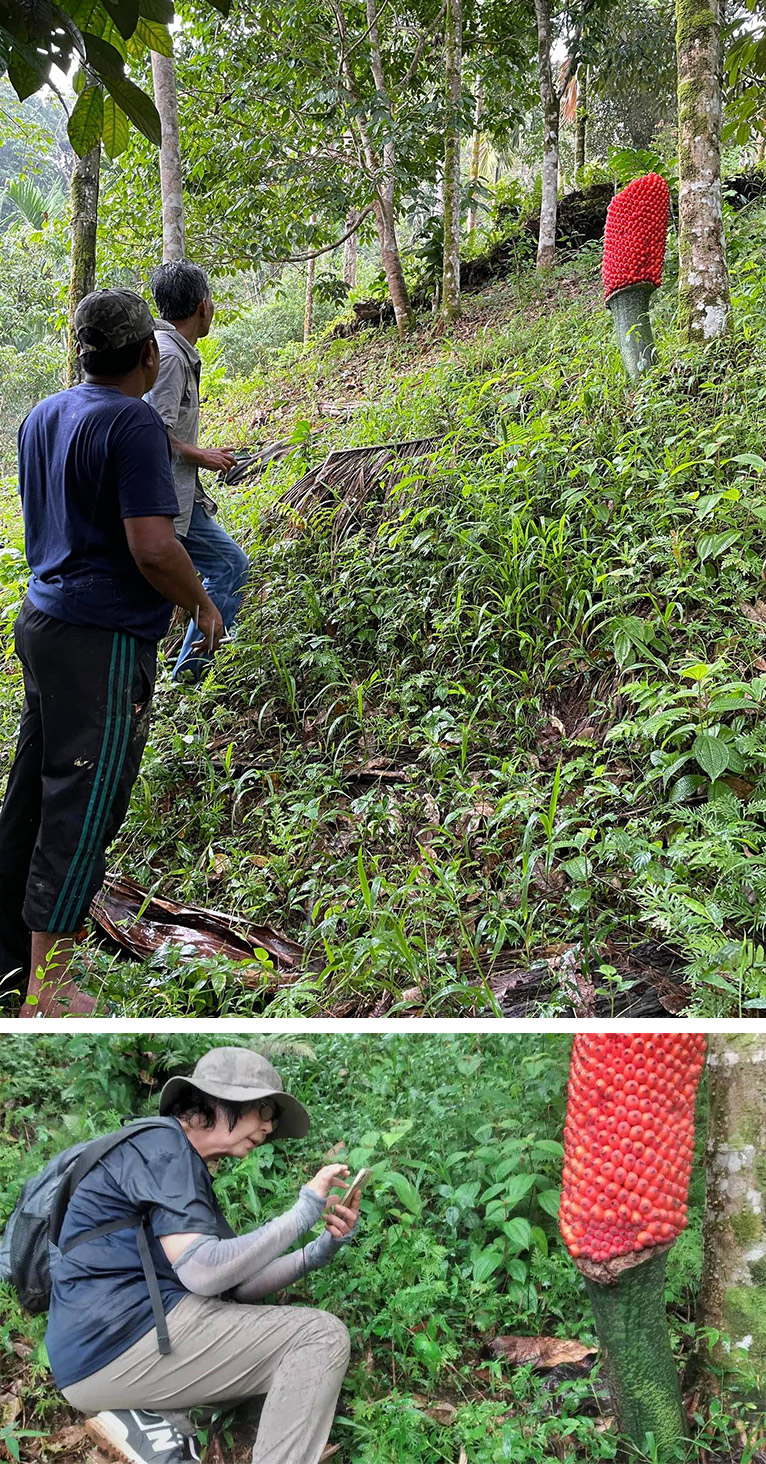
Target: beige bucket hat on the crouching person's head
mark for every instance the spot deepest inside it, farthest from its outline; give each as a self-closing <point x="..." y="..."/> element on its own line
<point x="242" y="1077"/>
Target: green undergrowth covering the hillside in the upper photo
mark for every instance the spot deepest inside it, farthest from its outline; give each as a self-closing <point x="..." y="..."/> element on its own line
<point x="518" y="718"/>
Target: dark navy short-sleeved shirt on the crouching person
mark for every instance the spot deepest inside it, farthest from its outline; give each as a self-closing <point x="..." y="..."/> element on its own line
<point x="100" y="1304"/>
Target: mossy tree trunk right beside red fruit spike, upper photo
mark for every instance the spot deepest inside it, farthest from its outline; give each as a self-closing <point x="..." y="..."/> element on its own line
<point x="704" y="286"/>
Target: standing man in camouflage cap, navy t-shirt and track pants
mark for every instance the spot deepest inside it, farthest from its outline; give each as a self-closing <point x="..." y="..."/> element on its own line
<point x="99" y="504"/>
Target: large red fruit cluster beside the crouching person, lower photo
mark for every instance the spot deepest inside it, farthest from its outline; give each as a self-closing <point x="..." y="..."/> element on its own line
<point x="592" y="1220"/>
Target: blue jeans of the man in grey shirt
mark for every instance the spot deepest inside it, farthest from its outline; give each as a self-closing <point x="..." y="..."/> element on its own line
<point x="223" y="569"/>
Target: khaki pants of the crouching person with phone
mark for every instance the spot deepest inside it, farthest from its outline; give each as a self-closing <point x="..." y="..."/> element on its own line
<point x="223" y="1353"/>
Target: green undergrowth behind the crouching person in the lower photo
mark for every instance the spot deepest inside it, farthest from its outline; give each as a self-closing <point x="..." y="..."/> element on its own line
<point x="459" y="1242"/>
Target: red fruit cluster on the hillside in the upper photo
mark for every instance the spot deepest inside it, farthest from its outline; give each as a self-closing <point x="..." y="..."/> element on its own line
<point x="635" y="239"/>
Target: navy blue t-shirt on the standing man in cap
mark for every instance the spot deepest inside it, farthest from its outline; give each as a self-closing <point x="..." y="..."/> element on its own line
<point x="89" y="459"/>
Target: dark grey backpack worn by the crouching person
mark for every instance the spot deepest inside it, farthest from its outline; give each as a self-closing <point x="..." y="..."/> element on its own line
<point x="31" y="1236"/>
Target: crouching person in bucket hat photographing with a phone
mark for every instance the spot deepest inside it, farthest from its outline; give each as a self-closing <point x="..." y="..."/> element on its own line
<point x="226" y="1342"/>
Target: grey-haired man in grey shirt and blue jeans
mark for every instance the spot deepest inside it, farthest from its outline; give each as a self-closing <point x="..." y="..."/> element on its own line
<point x="185" y="305"/>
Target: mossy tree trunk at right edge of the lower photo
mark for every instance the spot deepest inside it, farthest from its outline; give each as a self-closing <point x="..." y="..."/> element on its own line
<point x="733" y="1292"/>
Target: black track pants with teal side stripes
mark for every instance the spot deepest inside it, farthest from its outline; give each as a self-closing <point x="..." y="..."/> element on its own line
<point x="84" y="728"/>
